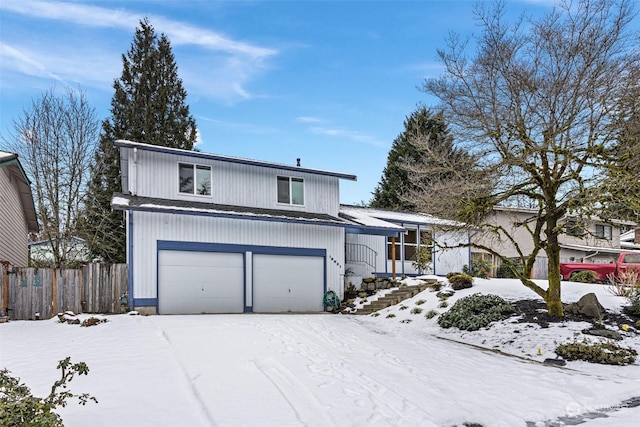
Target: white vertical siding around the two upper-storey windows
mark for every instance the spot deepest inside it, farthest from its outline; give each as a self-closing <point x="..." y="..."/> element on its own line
<point x="155" y="174"/>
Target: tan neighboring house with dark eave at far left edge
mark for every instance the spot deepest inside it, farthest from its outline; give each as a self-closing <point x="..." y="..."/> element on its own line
<point x="17" y="211"/>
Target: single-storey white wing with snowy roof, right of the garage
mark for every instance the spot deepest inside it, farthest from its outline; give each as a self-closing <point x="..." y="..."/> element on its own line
<point x="369" y="255"/>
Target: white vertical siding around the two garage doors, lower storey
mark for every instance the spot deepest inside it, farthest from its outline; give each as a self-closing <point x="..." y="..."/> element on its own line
<point x="149" y="227"/>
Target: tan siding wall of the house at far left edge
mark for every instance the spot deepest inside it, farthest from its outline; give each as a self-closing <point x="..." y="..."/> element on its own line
<point x="13" y="224"/>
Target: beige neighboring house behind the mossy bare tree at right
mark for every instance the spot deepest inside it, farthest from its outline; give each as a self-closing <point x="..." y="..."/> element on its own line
<point x="586" y="240"/>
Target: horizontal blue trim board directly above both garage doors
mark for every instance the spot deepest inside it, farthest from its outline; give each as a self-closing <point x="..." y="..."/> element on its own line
<point x="169" y="245"/>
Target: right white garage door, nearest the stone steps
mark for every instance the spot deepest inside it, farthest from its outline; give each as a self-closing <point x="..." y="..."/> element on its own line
<point x="283" y="283"/>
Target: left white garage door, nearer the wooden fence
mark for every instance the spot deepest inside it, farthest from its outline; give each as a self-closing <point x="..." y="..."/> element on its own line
<point x="200" y="282"/>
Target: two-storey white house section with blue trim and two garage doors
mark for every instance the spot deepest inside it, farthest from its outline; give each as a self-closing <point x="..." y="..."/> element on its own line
<point x="216" y="234"/>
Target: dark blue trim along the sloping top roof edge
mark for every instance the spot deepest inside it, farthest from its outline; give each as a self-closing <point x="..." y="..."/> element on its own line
<point x="208" y="156"/>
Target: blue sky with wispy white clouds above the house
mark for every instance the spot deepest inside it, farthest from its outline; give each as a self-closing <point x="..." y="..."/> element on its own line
<point x="330" y="82"/>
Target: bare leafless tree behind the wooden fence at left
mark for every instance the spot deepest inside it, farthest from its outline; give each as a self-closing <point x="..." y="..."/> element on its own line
<point x="55" y="137"/>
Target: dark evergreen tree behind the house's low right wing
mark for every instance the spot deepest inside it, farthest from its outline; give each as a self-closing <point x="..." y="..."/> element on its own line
<point x="424" y="133"/>
